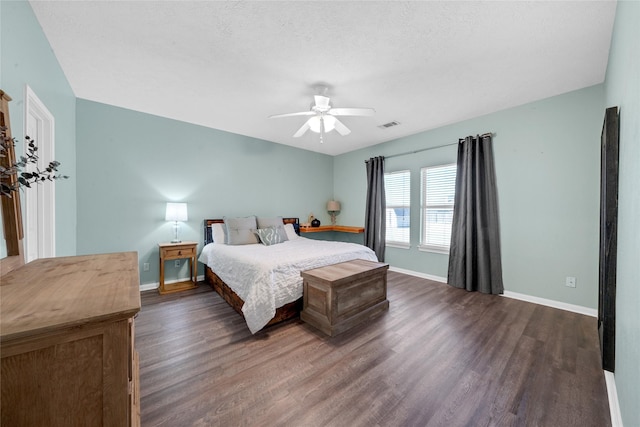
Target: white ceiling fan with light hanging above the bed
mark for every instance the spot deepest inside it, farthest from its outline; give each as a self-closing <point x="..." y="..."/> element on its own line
<point x="324" y="116"/>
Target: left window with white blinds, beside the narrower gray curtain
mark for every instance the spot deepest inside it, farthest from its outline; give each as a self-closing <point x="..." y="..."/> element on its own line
<point x="397" y="194"/>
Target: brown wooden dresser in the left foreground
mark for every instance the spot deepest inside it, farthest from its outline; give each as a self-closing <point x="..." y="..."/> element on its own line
<point x="67" y="342"/>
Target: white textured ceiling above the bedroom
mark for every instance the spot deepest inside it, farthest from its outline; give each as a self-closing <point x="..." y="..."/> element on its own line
<point x="230" y="65"/>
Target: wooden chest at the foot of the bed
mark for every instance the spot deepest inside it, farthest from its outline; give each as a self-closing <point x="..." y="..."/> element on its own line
<point x="340" y="296"/>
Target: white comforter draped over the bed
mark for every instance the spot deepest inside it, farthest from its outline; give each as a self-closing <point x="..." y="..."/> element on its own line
<point x="268" y="277"/>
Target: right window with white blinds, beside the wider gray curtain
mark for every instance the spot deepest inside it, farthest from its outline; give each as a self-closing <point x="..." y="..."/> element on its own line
<point x="438" y="189"/>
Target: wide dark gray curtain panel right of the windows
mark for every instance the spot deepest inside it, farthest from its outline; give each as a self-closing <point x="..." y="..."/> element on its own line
<point x="474" y="258"/>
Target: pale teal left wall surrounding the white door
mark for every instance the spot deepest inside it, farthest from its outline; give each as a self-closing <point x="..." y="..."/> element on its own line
<point x="27" y="59"/>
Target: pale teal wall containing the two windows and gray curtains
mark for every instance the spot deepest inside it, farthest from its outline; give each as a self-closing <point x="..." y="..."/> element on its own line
<point x="547" y="164"/>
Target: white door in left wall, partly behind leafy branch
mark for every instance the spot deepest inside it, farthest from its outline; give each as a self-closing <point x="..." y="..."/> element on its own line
<point x="39" y="218"/>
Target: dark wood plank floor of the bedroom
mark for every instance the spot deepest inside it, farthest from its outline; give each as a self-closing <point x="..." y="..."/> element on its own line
<point x="440" y="357"/>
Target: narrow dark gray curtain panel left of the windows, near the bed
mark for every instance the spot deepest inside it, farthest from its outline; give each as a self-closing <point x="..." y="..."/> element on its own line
<point x="374" y="222"/>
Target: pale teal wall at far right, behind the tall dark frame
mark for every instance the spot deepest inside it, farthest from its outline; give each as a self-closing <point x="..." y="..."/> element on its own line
<point x="623" y="90"/>
